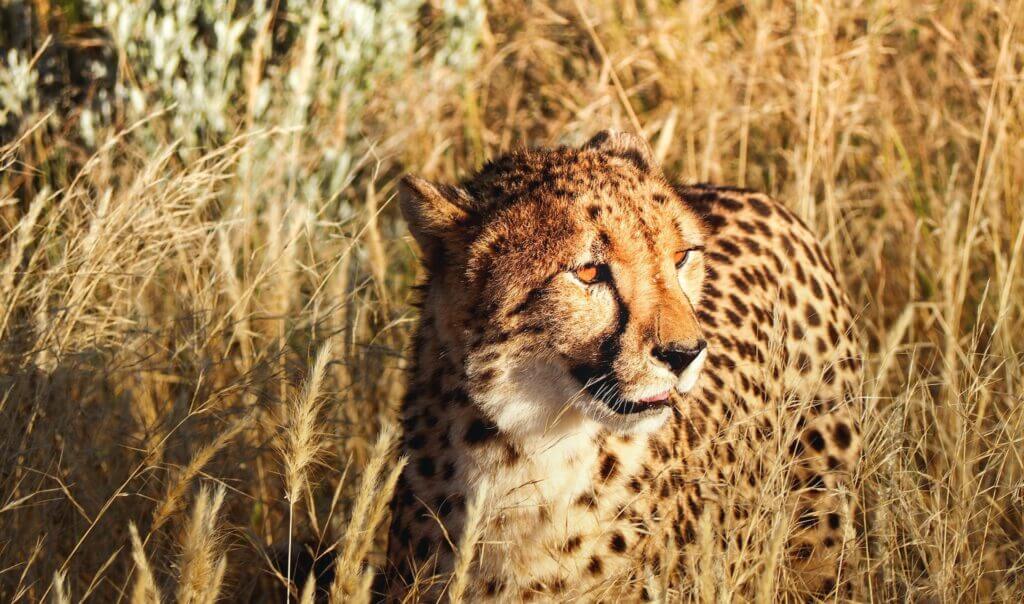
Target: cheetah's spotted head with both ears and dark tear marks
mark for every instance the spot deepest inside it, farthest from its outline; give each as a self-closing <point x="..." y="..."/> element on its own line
<point x="565" y="284"/>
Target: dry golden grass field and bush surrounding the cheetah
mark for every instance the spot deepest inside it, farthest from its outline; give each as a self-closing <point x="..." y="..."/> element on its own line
<point x="205" y="282"/>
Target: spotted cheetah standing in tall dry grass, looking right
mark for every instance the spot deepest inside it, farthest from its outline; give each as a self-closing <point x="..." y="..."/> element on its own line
<point x="602" y="361"/>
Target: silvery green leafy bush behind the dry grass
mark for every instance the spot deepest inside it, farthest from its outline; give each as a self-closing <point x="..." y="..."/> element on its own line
<point x="194" y="61"/>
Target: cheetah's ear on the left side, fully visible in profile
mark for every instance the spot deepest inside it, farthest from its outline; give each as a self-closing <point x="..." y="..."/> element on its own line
<point x="437" y="213"/>
